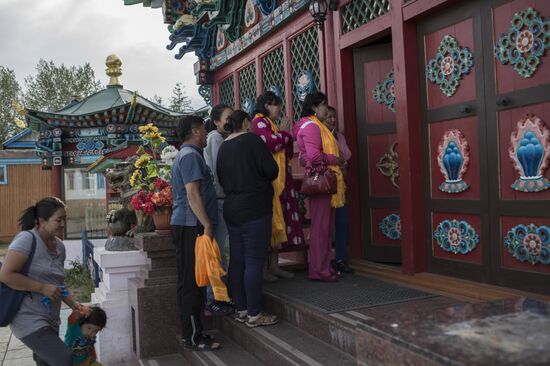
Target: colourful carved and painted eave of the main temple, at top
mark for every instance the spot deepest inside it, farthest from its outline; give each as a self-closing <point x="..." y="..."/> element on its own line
<point x="218" y="30"/>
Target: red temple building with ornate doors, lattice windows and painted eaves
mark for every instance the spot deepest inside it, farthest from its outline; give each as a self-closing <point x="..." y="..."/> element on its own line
<point x="443" y="103"/>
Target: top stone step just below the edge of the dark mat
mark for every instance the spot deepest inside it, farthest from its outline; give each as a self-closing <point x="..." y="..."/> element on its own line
<point x="337" y="329"/>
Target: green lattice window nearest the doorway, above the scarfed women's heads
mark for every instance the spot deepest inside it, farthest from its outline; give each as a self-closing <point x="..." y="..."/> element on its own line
<point x="305" y="59"/>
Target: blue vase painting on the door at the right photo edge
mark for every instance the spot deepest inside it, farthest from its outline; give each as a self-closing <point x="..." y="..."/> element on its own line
<point x="530" y="154"/>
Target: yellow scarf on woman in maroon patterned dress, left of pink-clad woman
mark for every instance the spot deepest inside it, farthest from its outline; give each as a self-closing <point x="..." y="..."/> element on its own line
<point x="278" y="226"/>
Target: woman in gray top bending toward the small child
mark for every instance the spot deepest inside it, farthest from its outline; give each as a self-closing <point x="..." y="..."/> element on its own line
<point x="36" y="323"/>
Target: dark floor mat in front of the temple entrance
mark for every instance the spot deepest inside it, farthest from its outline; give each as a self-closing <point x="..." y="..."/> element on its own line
<point x="350" y="293"/>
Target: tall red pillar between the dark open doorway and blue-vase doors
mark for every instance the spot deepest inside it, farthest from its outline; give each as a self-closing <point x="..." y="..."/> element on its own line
<point x="409" y="140"/>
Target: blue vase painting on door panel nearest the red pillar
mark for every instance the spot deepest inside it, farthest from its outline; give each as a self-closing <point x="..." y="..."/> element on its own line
<point x="453" y="158"/>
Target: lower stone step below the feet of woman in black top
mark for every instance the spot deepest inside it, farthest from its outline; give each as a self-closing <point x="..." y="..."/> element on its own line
<point x="284" y="344"/>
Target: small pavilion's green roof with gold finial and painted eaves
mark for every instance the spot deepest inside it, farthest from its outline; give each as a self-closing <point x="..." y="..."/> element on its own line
<point x="102" y="123"/>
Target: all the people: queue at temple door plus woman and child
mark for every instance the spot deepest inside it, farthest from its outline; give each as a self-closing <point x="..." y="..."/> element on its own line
<point x="233" y="184"/>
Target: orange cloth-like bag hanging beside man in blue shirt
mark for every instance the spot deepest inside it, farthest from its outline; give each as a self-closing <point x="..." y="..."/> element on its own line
<point x="208" y="268"/>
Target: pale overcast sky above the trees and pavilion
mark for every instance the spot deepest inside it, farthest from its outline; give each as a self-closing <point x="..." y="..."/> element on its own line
<point x="77" y="31"/>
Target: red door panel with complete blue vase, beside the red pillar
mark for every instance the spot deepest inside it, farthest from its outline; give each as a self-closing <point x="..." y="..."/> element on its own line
<point x="454" y="140"/>
